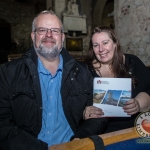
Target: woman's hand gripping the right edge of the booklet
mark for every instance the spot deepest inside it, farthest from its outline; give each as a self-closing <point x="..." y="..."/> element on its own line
<point x="131" y="107"/>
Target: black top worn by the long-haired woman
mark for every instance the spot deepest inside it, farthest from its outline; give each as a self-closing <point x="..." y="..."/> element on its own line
<point x="142" y="74"/>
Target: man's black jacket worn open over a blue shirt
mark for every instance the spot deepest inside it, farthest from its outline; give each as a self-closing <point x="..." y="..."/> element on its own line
<point x="21" y="102"/>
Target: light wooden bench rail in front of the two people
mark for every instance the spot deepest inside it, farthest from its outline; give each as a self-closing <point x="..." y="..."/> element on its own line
<point x="87" y="143"/>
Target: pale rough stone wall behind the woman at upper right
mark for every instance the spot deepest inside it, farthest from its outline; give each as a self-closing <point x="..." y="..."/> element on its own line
<point x="132" y="21"/>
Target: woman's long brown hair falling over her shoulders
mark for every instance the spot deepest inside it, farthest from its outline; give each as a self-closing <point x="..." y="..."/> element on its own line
<point x="117" y="66"/>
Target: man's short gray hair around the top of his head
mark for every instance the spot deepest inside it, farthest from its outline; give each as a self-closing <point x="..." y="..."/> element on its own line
<point x="42" y="13"/>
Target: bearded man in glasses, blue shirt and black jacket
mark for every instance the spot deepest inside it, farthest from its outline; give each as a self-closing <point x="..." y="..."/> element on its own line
<point x="43" y="94"/>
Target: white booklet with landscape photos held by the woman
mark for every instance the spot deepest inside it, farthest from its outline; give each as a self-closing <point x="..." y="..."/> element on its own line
<point x="110" y="94"/>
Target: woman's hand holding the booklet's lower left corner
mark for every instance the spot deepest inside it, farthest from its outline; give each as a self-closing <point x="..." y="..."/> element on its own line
<point x="92" y="112"/>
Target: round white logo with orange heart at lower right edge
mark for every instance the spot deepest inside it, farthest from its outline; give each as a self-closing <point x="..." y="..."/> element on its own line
<point x="142" y="124"/>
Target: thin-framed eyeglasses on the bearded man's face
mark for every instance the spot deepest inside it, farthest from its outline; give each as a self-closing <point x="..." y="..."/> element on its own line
<point x="43" y="31"/>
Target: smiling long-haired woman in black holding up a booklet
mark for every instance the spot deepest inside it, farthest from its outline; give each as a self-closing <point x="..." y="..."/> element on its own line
<point x="107" y="60"/>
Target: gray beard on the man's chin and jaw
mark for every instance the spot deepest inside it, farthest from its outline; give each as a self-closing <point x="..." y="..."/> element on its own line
<point x="49" y="53"/>
